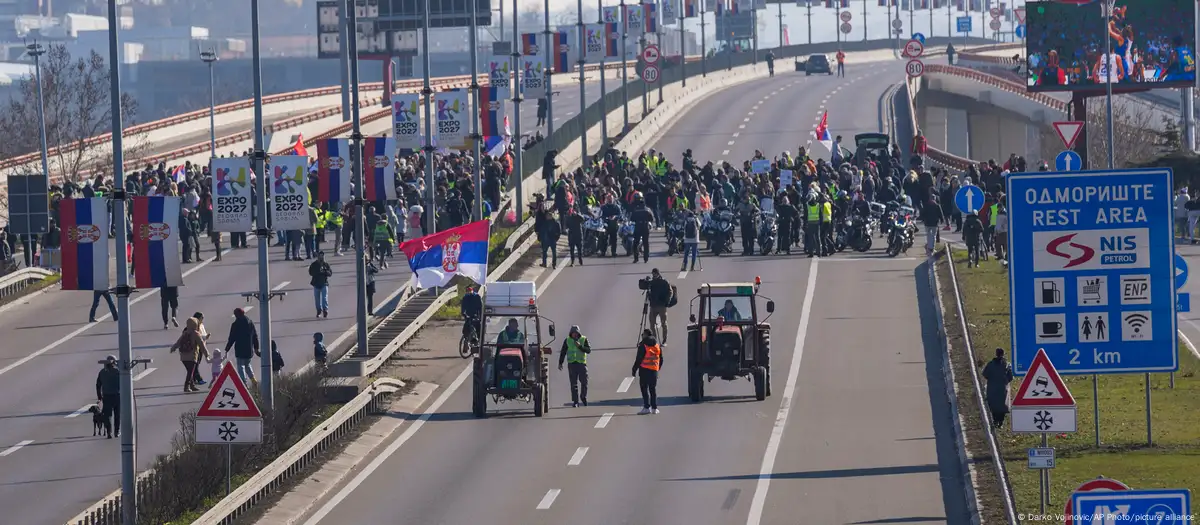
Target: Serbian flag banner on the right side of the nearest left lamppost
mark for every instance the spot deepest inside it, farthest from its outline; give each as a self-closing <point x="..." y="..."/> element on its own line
<point x="157" y="243"/>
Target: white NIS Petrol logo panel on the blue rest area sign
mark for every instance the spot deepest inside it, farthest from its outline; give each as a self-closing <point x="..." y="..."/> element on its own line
<point x="1091" y="250"/>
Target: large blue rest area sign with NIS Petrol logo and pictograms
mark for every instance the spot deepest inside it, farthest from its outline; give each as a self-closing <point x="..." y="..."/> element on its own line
<point x="1093" y="270"/>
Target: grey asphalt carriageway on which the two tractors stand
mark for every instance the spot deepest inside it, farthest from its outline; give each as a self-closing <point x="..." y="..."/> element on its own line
<point x="859" y="430"/>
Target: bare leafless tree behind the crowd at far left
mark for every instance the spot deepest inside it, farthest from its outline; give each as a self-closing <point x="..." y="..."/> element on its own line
<point x="77" y="107"/>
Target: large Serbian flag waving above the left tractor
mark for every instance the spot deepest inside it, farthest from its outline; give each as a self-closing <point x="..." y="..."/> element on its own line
<point x="435" y="260"/>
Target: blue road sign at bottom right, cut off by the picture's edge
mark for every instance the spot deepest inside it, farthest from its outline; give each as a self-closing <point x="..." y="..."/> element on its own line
<point x="1156" y="508"/>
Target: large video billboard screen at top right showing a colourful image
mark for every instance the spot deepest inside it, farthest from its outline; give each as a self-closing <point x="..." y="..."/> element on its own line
<point x="1154" y="45"/>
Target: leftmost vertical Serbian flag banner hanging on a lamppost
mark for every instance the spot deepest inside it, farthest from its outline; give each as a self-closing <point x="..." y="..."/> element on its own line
<point x="85" y="244"/>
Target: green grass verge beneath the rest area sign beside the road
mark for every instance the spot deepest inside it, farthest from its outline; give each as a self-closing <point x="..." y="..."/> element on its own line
<point x="1174" y="460"/>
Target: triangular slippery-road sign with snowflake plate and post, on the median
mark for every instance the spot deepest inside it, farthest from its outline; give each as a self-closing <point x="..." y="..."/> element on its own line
<point x="229" y="417"/>
